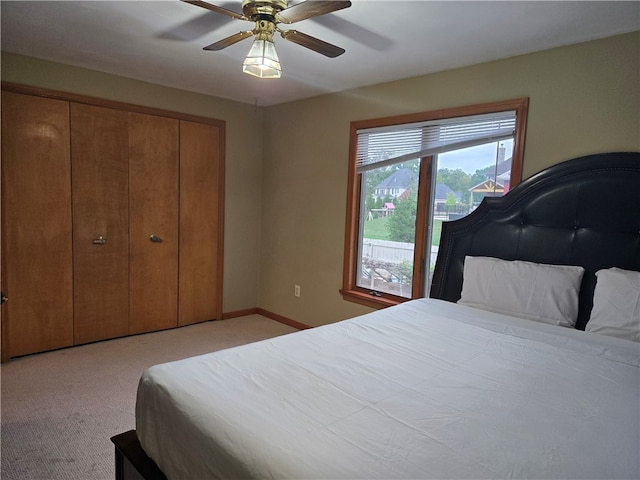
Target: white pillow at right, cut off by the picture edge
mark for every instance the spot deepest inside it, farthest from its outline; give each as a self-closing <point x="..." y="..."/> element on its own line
<point x="616" y="304"/>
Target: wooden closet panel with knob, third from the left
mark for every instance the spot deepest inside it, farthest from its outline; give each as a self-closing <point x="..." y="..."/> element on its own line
<point x="153" y="211"/>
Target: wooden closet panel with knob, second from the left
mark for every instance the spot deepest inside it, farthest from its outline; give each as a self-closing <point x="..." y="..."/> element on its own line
<point x="100" y="173"/>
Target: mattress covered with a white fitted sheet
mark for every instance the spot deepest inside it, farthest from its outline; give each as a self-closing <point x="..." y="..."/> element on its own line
<point x="427" y="389"/>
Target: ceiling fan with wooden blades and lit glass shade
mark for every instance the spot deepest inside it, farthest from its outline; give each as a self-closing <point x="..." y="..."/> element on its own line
<point x="263" y="60"/>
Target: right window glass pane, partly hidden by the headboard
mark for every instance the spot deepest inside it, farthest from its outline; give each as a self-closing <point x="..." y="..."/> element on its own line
<point x="464" y="177"/>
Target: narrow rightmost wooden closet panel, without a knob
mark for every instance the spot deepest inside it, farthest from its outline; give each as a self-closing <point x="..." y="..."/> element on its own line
<point x="200" y="157"/>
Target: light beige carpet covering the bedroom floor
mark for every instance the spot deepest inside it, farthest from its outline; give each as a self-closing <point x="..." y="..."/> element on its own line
<point x="59" y="409"/>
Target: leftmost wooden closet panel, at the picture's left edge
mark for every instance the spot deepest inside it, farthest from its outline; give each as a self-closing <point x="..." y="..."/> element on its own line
<point x="36" y="224"/>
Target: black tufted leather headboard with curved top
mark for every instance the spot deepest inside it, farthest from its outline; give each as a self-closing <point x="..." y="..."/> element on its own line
<point x="583" y="212"/>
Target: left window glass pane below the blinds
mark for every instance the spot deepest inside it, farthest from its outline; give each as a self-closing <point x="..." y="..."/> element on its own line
<point x="388" y="228"/>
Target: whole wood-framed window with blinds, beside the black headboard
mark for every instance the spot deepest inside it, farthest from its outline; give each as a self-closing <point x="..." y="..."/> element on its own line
<point x="407" y="175"/>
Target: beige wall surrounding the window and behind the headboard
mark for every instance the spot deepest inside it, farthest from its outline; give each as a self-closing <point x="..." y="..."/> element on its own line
<point x="583" y="99"/>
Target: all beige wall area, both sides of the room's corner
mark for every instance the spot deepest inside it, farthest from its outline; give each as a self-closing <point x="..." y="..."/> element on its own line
<point x="286" y="165"/>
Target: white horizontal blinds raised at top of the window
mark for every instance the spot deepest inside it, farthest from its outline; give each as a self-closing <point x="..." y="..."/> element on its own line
<point x="378" y="147"/>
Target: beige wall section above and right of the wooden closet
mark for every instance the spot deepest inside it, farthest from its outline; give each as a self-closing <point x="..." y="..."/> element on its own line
<point x="243" y="155"/>
